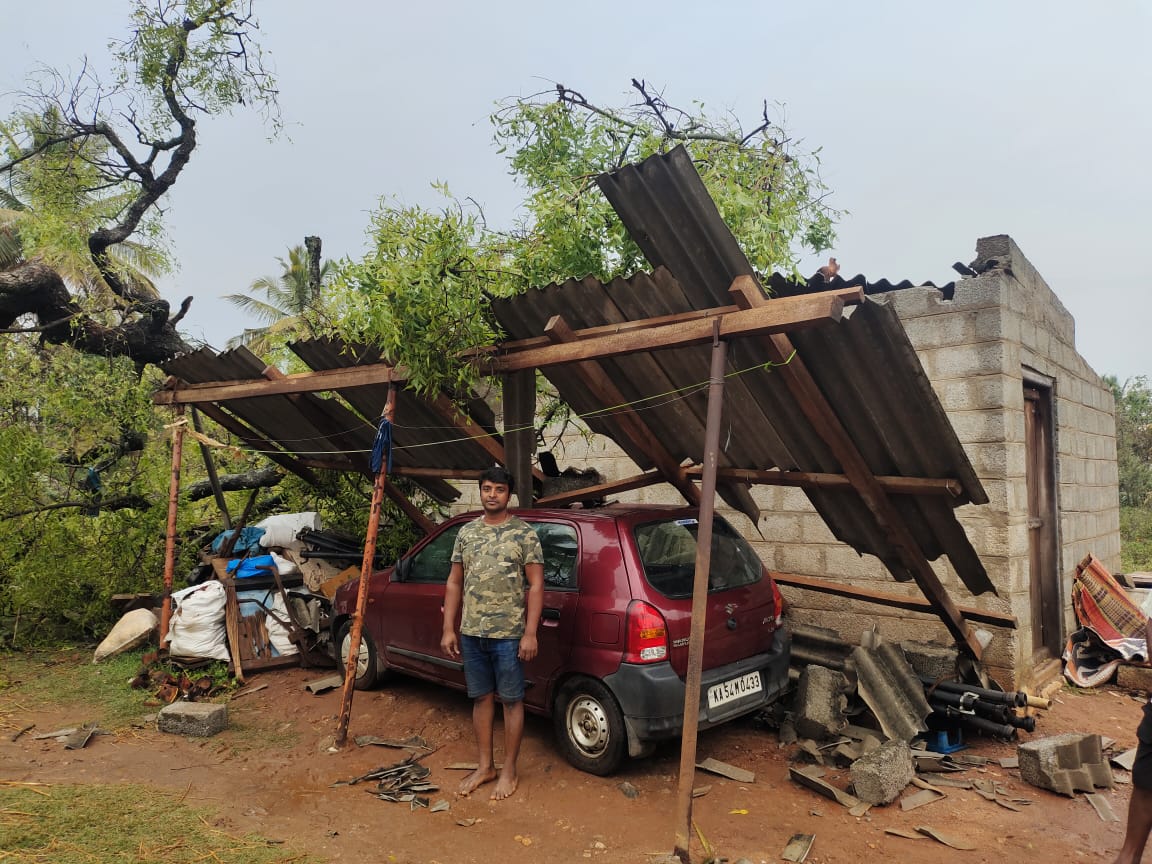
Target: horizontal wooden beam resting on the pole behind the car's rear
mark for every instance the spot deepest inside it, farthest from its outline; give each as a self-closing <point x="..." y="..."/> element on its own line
<point x="808" y="310"/>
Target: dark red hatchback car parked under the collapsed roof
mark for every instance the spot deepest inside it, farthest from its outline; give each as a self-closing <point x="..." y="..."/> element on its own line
<point x="613" y="638"/>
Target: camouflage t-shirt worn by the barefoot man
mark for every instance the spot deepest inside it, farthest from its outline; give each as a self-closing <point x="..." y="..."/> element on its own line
<point x="494" y="558"/>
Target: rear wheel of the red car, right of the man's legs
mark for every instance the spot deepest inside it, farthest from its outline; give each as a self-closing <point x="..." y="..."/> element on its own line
<point x="590" y="726"/>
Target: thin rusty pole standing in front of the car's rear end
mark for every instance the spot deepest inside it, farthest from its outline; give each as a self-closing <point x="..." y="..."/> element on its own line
<point x="700" y="600"/>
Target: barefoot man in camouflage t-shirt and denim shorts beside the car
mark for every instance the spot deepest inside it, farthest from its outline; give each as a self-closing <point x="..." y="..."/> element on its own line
<point x="498" y="571"/>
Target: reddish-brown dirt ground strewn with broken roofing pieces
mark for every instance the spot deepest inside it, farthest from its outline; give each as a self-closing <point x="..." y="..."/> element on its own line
<point x="271" y="772"/>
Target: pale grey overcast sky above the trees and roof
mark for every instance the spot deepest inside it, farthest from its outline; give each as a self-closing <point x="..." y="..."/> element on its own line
<point x="938" y="125"/>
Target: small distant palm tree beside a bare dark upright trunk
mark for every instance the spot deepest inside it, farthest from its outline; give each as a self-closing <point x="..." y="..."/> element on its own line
<point x="293" y="308"/>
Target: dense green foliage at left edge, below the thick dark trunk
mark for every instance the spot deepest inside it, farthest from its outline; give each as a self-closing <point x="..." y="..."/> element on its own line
<point x="84" y="492"/>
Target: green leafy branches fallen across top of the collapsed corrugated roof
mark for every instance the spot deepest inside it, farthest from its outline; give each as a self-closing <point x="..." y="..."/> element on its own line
<point x="422" y="293"/>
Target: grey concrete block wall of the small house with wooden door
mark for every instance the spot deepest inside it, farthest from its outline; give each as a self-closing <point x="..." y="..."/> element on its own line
<point x="975" y="350"/>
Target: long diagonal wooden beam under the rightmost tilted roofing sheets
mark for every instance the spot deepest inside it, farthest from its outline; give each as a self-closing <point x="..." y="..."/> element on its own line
<point x="824" y="420"/>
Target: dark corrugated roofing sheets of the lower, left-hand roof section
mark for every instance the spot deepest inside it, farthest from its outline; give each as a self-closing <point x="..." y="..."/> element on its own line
<point x="343" y="430"/>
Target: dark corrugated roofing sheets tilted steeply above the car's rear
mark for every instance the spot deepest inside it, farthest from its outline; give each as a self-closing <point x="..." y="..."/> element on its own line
<point x="865" y="366"/>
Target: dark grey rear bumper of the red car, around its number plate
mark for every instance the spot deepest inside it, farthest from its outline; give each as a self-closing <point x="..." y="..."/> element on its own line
<point x="653" y="698"/>
